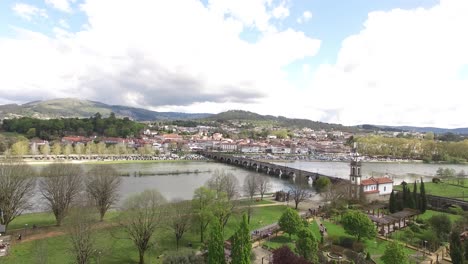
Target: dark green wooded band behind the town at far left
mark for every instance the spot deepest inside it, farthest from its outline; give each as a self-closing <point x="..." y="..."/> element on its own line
<point x="56" y="128"/>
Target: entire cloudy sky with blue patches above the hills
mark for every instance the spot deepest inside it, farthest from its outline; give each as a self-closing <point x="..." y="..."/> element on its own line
<point x="393" y="62"/>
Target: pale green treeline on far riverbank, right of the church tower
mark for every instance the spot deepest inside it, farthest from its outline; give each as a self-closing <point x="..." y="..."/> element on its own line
<point x="411" y="148"/>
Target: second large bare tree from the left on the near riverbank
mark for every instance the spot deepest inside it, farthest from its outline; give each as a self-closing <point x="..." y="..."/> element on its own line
<point x="60" y="186"/>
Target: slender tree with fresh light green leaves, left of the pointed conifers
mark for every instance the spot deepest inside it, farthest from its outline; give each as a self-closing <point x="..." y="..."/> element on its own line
<point x="202" y="204"/>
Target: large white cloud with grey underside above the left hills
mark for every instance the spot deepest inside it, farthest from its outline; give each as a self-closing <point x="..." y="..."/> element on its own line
<point x="159" y="56"/>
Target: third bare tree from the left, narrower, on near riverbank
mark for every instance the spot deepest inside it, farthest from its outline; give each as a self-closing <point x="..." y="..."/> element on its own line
<point x="102" y="186"/>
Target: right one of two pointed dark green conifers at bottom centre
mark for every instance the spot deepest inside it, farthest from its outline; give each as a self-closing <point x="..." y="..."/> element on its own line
<point x="241" y="244"/>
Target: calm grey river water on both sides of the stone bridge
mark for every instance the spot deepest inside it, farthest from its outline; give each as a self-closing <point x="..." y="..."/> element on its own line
<point x="179" y="180"/>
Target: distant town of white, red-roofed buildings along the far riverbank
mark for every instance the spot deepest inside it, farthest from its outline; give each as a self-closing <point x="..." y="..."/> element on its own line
<point x="173" y="139"/>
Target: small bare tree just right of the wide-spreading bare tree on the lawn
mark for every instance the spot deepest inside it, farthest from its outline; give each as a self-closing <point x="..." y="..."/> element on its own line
<point x="179" y="218"/>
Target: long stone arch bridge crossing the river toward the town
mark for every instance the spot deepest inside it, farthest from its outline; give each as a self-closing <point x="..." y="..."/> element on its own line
<point x="284" y="172"/>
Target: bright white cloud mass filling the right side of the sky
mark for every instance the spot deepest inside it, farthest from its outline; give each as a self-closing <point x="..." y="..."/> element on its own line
<point x="402" y="68"/>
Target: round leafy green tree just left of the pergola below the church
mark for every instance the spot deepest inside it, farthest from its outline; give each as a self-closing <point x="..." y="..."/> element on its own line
<point x="358" y="224"/>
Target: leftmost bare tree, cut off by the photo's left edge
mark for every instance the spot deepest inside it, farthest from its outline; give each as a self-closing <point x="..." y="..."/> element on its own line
<point x="17" y="184"/>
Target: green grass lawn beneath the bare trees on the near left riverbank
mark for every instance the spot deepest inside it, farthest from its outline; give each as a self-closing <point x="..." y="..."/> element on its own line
<point x="112" y="242"/>
